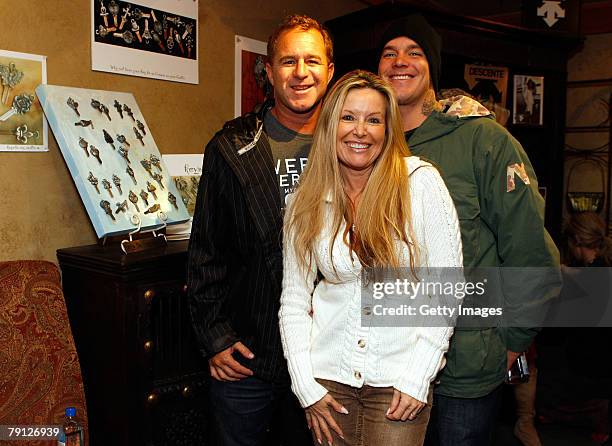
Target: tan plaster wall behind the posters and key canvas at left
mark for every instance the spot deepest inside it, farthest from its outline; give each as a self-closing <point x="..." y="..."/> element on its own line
<point x="40" y="209"/>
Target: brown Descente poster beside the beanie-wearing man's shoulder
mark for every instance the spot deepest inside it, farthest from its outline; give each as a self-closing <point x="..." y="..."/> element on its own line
<point x="489" y="85"/>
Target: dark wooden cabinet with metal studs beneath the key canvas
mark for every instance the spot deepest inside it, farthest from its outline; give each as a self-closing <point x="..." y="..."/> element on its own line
<point x="145" y="379"/>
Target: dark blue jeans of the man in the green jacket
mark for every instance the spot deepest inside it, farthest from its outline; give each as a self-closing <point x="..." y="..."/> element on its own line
<point x="463" y="421"/>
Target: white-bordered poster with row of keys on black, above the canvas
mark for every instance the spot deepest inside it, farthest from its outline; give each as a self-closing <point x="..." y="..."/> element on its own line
<point x="152" y="38"/>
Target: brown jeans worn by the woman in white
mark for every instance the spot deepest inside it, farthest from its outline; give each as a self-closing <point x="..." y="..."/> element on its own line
<point x="366" y="423"/>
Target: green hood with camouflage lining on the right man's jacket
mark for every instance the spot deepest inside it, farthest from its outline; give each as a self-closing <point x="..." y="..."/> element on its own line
<point x="456" y="111"/>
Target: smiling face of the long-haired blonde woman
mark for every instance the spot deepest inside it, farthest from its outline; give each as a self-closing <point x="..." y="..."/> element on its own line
<point x="361" y="130"/>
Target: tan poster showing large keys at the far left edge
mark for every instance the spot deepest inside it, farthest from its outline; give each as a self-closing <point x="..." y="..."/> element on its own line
<point x="23" y="127"/>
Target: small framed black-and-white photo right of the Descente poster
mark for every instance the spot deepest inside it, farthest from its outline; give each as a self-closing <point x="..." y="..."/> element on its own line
<point x="528" y="95"/>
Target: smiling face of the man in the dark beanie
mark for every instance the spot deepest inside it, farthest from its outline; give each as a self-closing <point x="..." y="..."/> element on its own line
<point x="404" y="65"/>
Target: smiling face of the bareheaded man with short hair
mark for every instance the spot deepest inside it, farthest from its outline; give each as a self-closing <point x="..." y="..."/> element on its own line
<point x="300" y="71"/>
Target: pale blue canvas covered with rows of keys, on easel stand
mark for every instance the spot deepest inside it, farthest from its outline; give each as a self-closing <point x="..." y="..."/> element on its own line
<point x="108" y="146"/>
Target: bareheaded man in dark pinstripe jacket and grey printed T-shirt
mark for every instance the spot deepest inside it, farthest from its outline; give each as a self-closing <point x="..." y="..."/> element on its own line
<point x="235" y="252"/>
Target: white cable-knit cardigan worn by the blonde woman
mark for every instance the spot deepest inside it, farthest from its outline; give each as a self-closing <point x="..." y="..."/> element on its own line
<point x="321" y="327"/>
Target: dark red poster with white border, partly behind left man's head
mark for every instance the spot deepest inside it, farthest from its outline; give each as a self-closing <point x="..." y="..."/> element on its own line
<point x="251" y="84"/>
